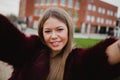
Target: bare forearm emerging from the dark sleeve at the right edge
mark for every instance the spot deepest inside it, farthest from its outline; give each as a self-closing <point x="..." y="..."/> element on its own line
<point x="113" y="53"/>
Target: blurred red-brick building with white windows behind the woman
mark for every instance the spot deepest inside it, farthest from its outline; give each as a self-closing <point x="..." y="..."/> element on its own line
<point x="89" y="16"/>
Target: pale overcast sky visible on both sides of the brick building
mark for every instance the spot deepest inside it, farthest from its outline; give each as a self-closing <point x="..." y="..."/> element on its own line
<point x="12" y="6"/>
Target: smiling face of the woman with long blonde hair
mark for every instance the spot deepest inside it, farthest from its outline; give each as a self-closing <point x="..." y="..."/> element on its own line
<point x="55" y="34"/>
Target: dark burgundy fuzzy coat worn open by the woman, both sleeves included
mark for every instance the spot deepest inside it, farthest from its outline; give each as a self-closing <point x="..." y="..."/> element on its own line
<point x="31" y="59"/>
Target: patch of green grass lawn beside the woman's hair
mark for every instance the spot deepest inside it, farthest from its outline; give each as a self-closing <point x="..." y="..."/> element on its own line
<point x="85" y="43"/>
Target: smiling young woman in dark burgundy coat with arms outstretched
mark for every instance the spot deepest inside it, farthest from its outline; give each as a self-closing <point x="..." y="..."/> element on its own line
<point x="52" y="56"/>
